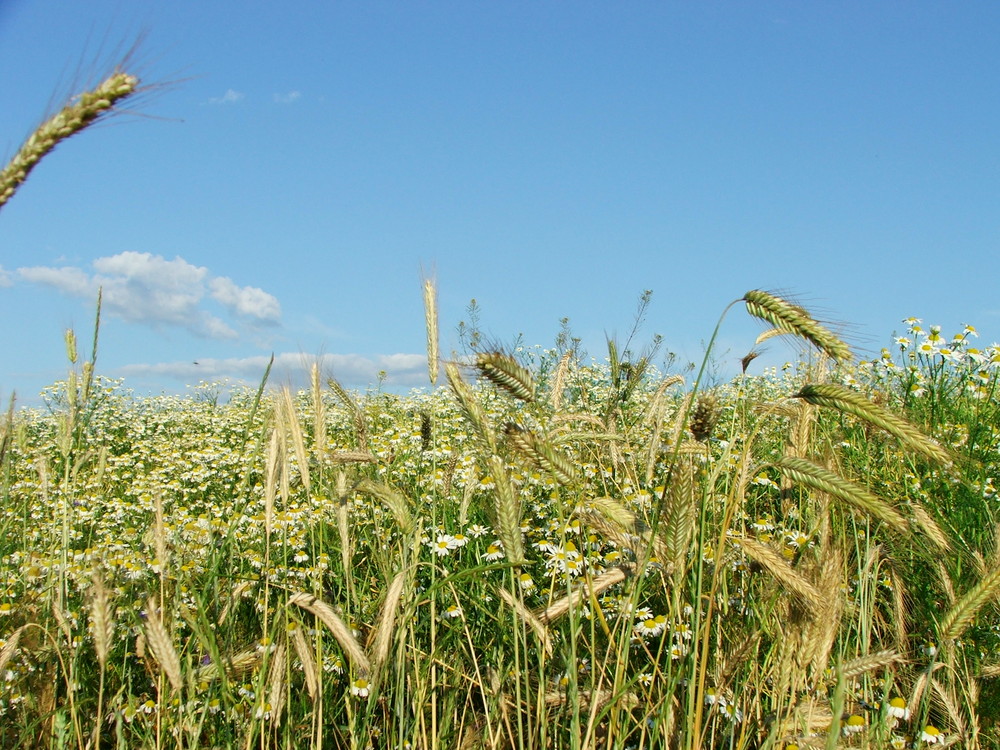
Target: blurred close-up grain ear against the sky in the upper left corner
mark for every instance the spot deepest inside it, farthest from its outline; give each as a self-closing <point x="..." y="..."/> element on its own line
<point x="71" y="119"/>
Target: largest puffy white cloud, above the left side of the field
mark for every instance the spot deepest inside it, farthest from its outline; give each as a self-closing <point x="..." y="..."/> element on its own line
<point x="151" y="290"/>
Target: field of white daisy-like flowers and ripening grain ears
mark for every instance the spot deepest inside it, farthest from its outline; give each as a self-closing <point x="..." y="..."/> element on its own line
<point x="541" y="552"/>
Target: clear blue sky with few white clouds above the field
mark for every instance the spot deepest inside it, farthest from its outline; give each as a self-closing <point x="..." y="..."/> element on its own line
<point x="289" y="173"/>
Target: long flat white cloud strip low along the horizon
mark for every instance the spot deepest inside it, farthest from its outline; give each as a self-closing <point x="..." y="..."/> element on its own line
<point x="351" y="370"/>
